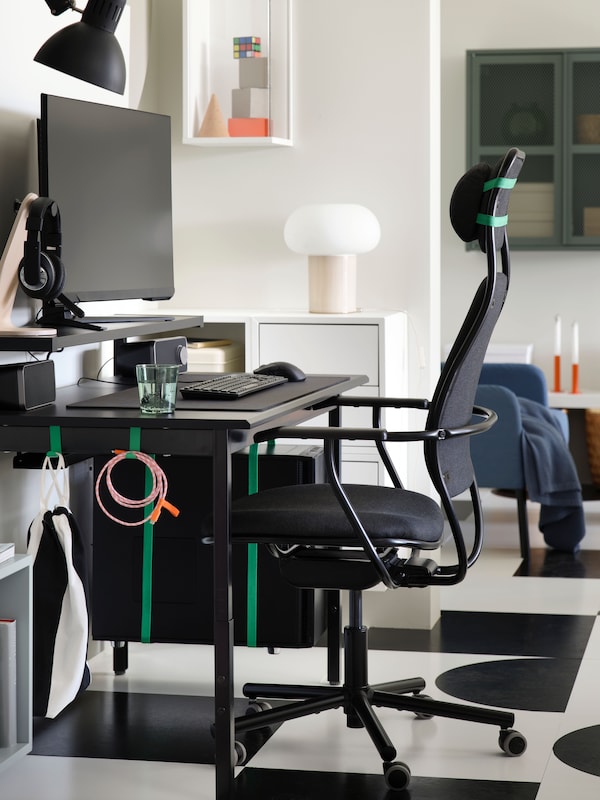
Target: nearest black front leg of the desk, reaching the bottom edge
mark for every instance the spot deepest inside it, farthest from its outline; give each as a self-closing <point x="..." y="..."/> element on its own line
<point x="223" y="618"/>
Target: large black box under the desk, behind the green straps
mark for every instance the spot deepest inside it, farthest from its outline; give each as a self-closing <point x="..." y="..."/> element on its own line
<point x="182" y="589"/>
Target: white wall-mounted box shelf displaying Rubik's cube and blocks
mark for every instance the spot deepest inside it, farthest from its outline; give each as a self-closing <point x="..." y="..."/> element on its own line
<point x="209" y="67"/>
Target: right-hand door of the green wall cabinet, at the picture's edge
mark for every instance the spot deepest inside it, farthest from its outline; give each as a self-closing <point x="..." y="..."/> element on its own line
<point x="582" y="146"/>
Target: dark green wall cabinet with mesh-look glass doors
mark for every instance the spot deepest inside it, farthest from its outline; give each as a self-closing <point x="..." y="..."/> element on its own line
<point x="547" y="102"/>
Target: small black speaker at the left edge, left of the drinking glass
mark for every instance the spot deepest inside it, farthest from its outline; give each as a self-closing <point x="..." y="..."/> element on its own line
<point x="27" y="385"/>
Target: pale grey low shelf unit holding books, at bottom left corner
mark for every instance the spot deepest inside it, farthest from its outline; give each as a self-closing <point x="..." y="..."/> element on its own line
<point x="16" y="593"/>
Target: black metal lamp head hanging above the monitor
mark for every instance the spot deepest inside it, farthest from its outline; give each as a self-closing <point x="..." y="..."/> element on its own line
<point x="88" y="49"/>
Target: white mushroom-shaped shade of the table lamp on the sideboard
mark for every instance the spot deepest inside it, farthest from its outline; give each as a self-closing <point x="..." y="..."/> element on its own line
<point x="331" y="229"/>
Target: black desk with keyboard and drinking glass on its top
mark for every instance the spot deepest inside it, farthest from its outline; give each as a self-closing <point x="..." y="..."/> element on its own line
<point x="219" y="432"/>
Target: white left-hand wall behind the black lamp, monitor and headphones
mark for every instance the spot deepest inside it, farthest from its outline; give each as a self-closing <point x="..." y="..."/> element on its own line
<point x="25" y="27"/>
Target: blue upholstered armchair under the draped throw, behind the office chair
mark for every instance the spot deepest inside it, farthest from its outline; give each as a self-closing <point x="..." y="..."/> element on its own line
<point x="497" y="455"/>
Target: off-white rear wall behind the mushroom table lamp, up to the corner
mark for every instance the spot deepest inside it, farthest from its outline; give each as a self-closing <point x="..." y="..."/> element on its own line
<point x="365" y="131"/>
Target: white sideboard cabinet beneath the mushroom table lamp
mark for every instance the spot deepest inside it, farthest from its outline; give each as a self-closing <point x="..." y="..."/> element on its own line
<point x="372" y="343"/>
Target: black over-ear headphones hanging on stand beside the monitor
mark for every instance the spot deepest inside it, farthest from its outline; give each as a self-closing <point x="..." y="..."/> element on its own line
<point x="41" y="272"/>
